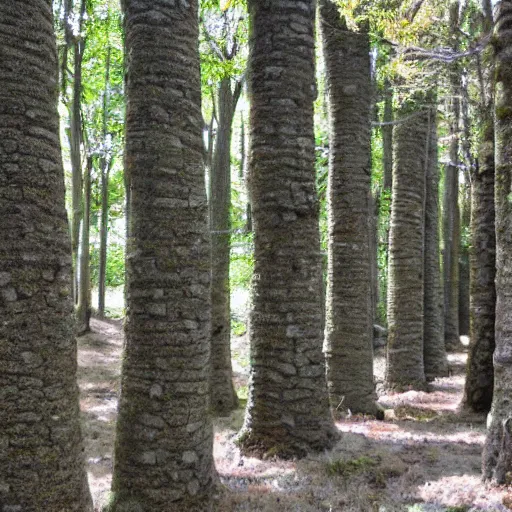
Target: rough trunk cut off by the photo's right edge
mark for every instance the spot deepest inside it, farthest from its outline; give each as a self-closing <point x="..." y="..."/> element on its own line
<point x="497" y="457"/>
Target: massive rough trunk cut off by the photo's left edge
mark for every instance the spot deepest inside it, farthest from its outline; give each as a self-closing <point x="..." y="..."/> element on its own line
<point x="41" y="459"/>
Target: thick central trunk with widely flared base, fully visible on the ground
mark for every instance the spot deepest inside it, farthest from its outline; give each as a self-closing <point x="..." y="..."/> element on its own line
<point x="288" y="410"/>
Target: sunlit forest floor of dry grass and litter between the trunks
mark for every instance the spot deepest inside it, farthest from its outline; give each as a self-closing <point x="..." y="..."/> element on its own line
<point x="425" y="456"/>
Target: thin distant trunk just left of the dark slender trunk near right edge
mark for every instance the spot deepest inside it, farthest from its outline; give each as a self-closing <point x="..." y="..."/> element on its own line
<point x="451" y="220"/>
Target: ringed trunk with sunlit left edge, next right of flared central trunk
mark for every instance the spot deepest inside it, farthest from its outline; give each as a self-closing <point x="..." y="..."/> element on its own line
<point x="349" y="311"/>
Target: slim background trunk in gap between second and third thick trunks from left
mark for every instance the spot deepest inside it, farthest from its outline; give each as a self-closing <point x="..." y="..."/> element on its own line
<point x="223" y="394"/>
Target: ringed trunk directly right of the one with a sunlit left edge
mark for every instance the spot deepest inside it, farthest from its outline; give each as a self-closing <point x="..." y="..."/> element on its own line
<point x="405" y="277"/>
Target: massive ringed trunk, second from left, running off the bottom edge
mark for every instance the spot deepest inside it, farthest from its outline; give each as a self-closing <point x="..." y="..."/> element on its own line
<point x="163" y="452"/>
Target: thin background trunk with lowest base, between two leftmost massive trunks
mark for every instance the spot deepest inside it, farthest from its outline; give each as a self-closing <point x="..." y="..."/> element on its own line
<point x="83" y="308"/>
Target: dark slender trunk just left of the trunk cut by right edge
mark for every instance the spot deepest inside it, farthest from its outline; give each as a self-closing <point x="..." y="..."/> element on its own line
<point x="480" y="372"/>
